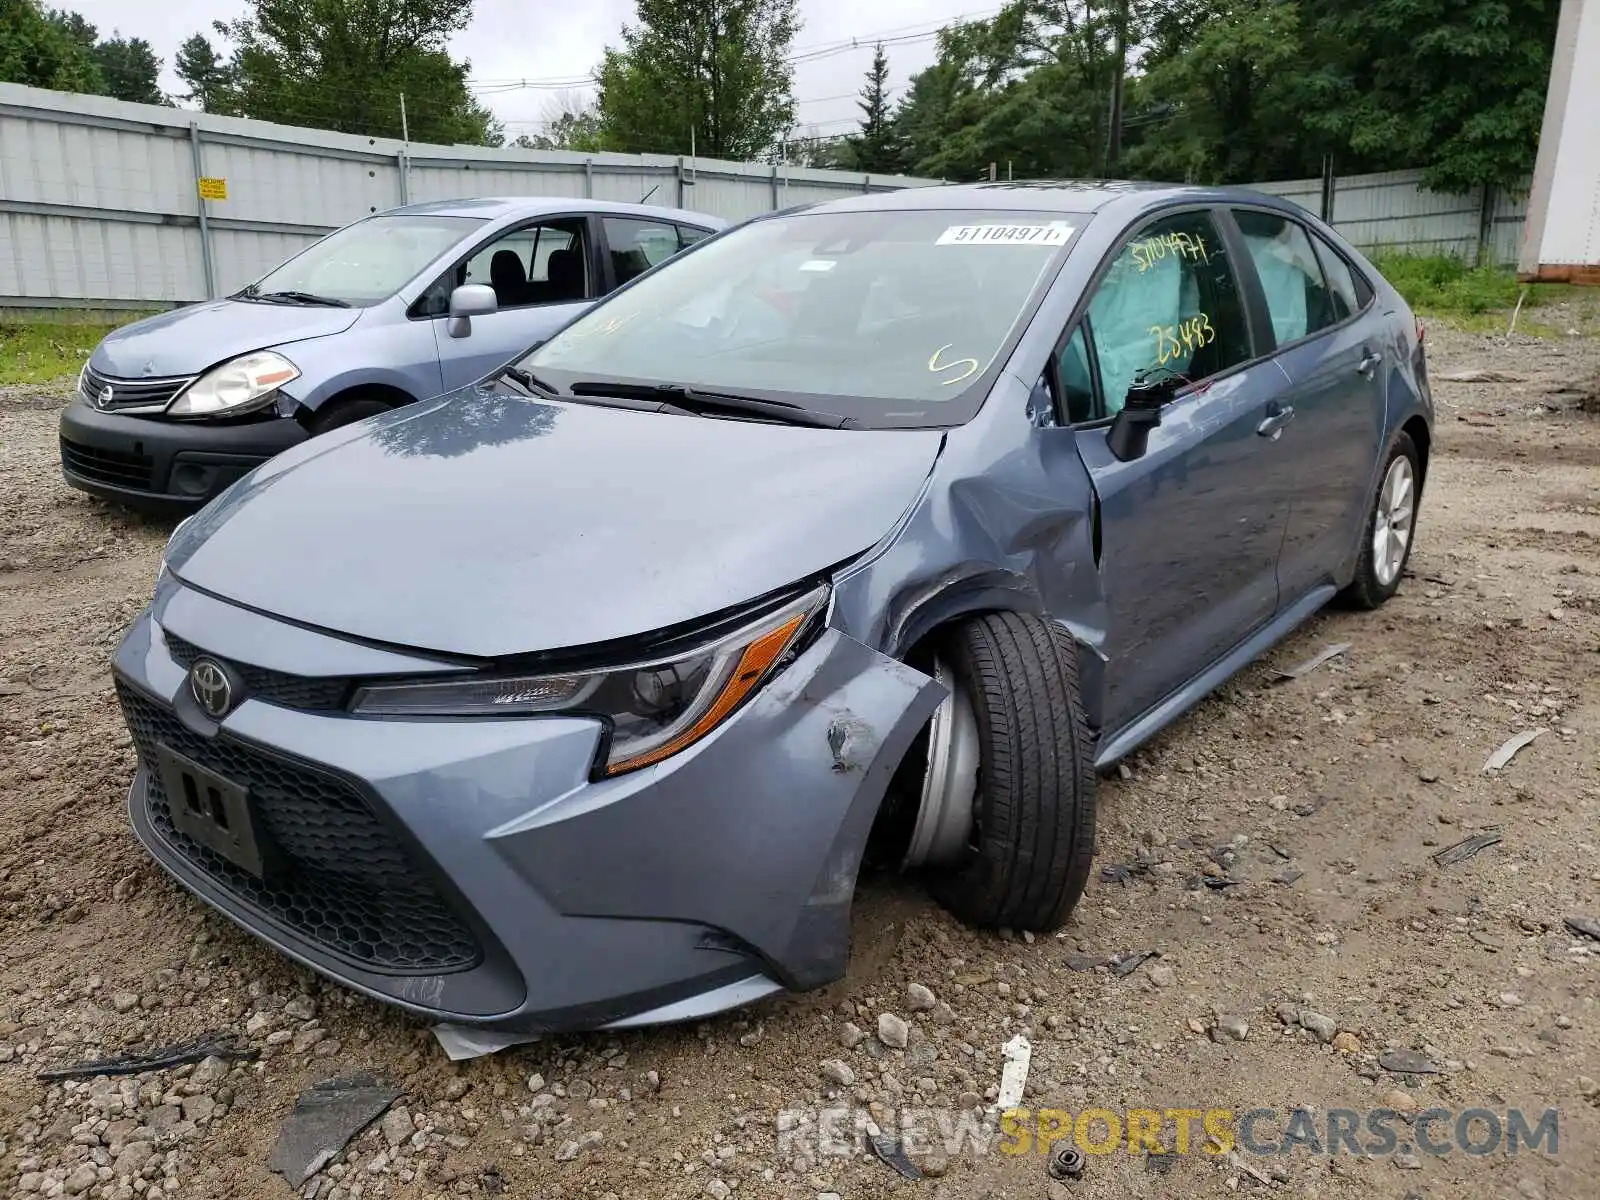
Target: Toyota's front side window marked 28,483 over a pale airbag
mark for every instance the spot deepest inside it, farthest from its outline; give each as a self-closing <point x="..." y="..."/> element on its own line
<point x="1167" y="305"/>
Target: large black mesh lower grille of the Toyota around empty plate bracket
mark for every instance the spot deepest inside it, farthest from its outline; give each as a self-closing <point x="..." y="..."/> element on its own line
<point x="346" y="882"/>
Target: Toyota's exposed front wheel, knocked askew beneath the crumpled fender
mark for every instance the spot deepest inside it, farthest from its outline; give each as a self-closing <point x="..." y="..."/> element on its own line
<point x="1007" y="815"/>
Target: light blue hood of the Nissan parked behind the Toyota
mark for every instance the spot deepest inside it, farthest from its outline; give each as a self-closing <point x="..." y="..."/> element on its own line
<point x="190" y="340"/>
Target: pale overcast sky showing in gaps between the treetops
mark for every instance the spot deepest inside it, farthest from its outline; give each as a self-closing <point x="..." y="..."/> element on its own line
<point x="550" y="44"/>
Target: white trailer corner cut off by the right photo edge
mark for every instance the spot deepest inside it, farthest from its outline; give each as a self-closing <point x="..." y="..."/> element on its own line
<point x="1561" y="242"/>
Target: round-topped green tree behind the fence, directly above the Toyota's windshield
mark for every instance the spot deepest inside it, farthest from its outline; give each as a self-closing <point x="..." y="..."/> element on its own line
<point x="702" y="76"/>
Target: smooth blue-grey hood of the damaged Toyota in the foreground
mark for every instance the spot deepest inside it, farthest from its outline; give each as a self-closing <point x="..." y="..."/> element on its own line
<point x="490" y="526"/>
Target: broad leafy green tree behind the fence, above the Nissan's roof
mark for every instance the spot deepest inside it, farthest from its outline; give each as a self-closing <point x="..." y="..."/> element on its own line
<point x="345" y="65"/>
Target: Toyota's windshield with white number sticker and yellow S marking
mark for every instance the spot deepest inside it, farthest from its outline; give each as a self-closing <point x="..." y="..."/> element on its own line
<point x="884" y="316"/>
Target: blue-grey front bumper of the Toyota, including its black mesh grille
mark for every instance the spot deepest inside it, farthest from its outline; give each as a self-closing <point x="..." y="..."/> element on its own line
<point x="470" y="871"/>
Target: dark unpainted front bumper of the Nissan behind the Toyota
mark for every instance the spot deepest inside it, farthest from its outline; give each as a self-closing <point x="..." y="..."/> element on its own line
<point x="166" y="465"/>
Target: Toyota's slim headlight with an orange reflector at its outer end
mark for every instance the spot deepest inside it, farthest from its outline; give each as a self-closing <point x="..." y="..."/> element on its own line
<point x="655" y="708"/>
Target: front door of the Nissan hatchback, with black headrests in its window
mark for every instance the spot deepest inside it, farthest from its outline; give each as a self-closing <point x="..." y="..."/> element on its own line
<point x="543" y="274"/>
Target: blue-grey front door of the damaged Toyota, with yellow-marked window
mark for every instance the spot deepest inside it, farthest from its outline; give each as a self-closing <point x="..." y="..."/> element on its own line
<point x="1191" y="529"/>
